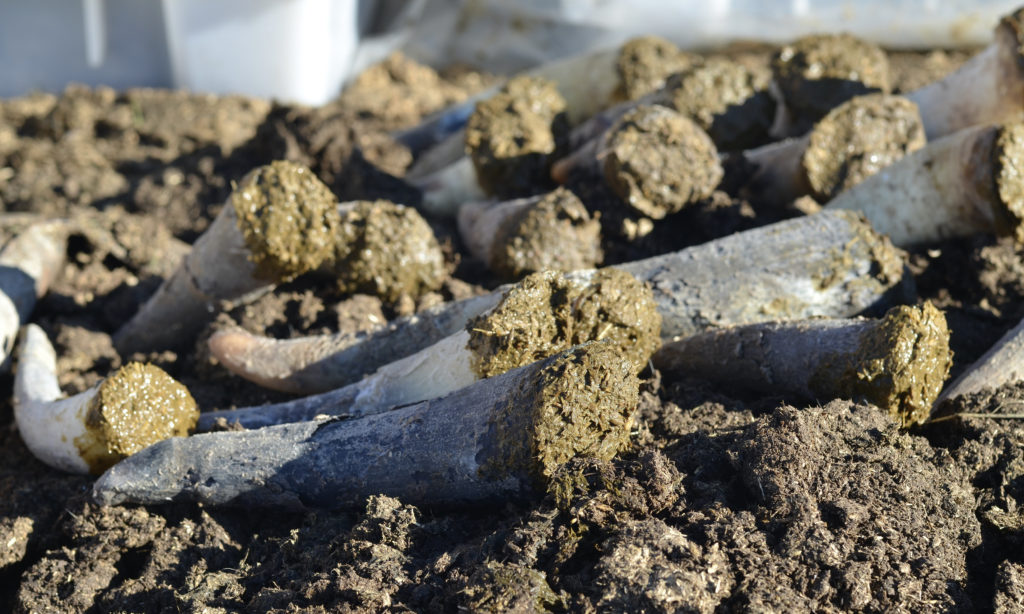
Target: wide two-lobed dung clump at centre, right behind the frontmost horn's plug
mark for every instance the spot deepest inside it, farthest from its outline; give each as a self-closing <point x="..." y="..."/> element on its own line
<point x="547" y="314"/>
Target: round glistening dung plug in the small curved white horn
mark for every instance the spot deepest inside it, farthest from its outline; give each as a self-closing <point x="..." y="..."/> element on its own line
<point x="137" y="407"/>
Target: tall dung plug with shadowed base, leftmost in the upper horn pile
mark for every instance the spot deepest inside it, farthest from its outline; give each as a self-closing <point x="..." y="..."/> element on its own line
<point x="514" y="137"/>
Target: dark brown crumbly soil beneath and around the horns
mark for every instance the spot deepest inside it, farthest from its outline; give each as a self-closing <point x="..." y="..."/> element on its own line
<point x="724" y="503"/>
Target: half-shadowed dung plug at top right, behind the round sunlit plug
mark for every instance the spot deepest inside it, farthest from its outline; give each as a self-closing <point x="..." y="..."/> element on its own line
<point x="819" y="73"/>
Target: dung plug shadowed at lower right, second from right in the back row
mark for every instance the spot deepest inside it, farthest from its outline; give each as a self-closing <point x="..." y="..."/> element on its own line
<point x="729" y="100"/>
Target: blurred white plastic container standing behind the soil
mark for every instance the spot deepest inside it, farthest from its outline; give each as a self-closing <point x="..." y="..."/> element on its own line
<point x="292" y="51"/>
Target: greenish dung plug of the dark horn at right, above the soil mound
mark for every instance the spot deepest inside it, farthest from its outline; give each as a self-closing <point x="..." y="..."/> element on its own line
<point x="901" y="366"/>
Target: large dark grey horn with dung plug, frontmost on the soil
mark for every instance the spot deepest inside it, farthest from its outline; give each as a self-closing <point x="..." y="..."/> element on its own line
<point x="497" y="441"/>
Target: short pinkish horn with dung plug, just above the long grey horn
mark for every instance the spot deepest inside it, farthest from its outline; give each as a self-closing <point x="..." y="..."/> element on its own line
<point x="552" y="232"/>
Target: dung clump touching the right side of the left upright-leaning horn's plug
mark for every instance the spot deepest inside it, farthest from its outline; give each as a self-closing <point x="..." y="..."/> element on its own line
<point x="388" y="251"/>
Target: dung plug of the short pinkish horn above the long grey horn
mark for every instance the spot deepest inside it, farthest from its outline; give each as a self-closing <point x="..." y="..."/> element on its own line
<point x="558" y="233"/>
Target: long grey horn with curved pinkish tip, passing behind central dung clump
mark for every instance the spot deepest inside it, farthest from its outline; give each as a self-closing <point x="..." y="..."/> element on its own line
<point x="832" y="265"/>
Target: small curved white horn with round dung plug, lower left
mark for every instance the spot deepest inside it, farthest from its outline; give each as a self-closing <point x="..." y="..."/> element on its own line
<point x="138" y="406"/>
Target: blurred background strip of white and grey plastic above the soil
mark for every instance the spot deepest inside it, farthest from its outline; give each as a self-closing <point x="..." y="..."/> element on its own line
<point x="305" y="51"/>
